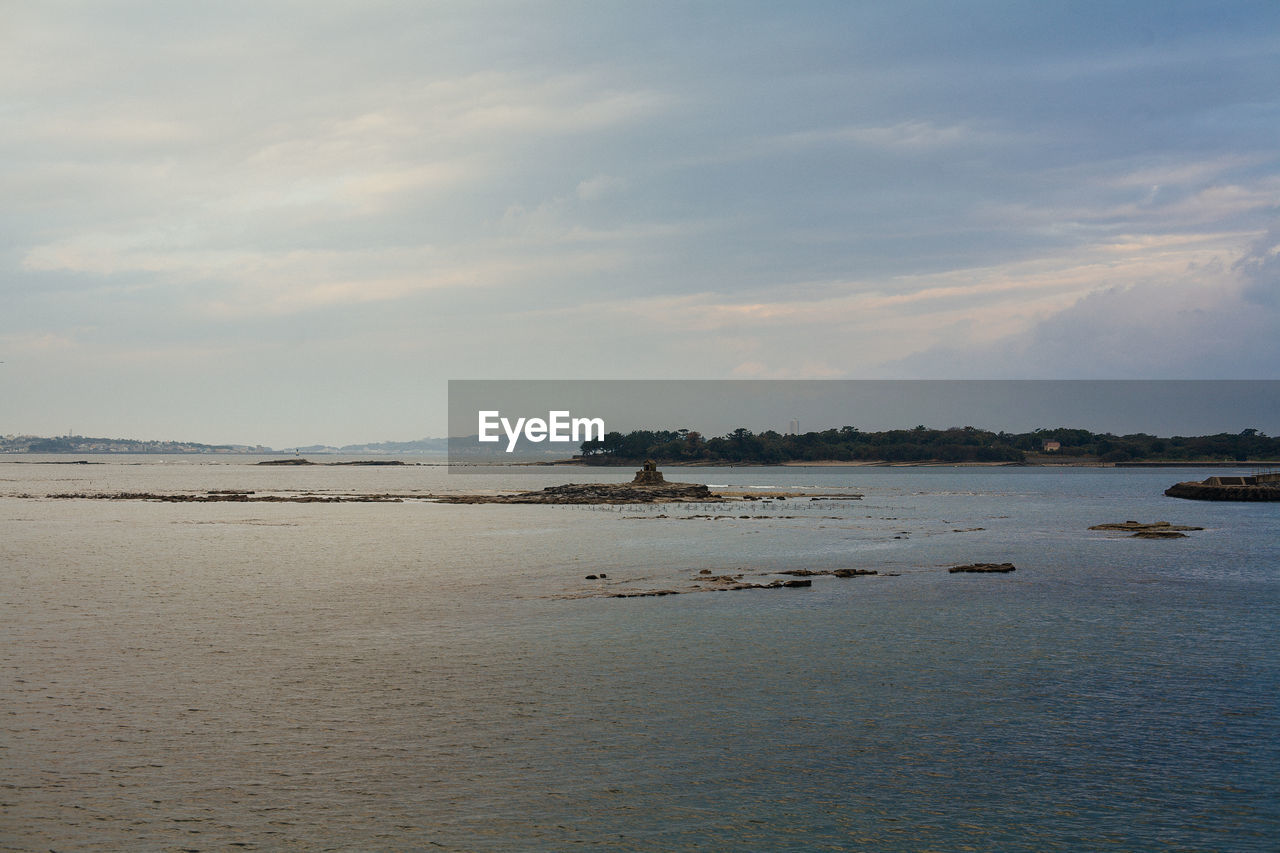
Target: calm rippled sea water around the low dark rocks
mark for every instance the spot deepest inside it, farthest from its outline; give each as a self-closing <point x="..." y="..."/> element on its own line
<point x="397" y="677"/>
